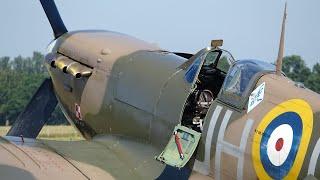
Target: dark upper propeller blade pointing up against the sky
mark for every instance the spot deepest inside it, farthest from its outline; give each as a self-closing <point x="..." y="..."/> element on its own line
<point x="54" y="18"/>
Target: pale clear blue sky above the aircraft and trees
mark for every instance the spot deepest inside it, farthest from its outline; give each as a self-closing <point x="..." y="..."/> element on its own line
<point x="250" y="28"/>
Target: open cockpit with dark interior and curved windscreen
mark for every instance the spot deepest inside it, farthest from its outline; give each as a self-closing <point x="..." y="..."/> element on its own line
<point x="207" y="74"/>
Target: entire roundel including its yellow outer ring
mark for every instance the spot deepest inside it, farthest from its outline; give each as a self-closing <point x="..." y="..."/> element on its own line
<point x="281" y="140"/>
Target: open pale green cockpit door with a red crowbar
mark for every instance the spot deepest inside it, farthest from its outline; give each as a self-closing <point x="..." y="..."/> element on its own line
<point x="180" y="148"/>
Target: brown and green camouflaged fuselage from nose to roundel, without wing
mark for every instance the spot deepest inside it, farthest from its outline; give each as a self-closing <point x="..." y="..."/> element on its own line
<point x="134" y="89"/>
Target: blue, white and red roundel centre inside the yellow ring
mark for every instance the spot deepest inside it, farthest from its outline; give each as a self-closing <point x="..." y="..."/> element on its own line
<point x="279" y="145"/>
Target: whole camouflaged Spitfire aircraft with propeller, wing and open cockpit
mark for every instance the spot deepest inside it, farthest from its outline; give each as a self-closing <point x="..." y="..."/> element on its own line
<point x="149" y="113"/>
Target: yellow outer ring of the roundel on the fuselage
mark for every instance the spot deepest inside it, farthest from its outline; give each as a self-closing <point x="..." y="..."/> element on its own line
<point x="303" y="109"/>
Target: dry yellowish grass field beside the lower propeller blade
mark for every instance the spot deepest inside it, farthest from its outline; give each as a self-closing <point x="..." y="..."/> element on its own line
<point x="63" y="133"/>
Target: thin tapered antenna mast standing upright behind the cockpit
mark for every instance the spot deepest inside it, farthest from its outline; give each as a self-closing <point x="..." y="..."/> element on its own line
<point x="281" y="45"/>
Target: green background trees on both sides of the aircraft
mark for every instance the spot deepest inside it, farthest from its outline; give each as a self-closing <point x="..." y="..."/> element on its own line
<point x="21" y="76"/>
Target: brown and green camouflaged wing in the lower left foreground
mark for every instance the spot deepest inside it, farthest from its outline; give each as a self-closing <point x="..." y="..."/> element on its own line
<point x="105" y="157"/>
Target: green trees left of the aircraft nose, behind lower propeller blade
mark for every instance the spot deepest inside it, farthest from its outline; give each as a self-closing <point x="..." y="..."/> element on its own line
<point x="20" y="77"/>
